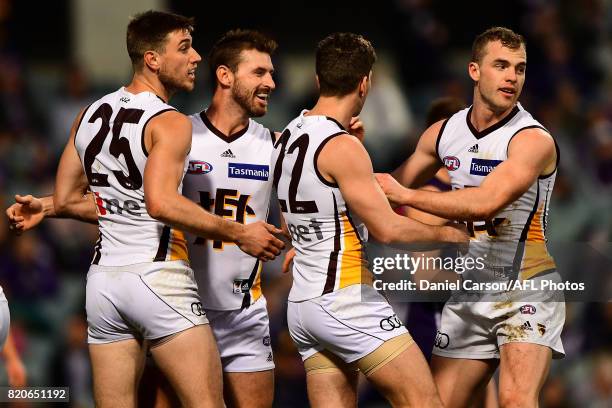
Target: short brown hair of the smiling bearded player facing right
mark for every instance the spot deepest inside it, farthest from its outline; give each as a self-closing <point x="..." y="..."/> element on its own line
<point x="226" y="51"/>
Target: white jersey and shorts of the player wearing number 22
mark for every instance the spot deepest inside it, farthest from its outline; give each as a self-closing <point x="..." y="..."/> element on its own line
<point x="331" y="304"/>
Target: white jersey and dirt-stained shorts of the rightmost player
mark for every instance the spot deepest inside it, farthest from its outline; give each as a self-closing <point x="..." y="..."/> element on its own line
<point x="513" y="245"/>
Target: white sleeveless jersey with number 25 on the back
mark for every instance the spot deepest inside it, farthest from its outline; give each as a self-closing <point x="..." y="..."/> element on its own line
<point x="110" y="143"/>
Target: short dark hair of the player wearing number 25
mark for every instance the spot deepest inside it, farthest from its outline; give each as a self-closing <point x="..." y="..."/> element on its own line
<point x="148" y="31"/>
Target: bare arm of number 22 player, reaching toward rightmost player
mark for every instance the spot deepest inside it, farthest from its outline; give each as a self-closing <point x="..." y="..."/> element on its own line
<point x="356" y="181"/>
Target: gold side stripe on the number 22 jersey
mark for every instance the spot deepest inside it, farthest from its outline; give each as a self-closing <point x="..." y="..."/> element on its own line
<point x="351" y="265"/>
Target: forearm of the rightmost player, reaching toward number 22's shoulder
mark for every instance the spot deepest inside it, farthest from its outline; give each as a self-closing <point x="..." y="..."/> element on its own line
<point x="471" y="204"/>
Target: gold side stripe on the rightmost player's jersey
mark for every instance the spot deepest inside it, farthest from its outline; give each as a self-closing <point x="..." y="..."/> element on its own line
<point x="536" y="258"/>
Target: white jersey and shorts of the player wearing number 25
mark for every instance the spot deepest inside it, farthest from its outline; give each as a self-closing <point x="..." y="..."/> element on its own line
<point x="139" y="283"/>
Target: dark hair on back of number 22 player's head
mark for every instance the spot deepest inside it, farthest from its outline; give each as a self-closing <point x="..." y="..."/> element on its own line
<point x="343" y="59"/>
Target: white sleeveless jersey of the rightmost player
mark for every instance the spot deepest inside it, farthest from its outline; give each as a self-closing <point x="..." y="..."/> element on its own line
<point x="513" y="243"/>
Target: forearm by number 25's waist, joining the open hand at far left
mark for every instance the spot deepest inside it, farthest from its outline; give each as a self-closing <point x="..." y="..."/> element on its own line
<point x="78" y="207"/>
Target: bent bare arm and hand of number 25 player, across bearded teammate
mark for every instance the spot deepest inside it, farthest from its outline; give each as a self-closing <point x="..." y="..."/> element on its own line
<point x="168" y="139"/>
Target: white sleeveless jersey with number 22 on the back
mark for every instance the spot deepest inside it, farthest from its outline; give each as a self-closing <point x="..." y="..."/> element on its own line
<point x="327" y="238"/>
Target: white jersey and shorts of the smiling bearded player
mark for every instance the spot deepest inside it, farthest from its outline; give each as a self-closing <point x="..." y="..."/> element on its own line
<point x="229" y="175"/>
